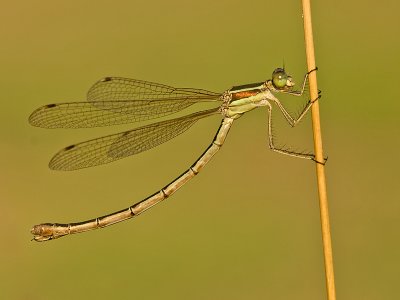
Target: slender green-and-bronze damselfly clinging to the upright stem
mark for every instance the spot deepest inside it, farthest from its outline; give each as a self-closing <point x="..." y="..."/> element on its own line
<point x="115" y="100"/>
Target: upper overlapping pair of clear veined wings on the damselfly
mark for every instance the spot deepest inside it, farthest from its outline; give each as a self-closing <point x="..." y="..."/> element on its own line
<point x="115" y="100"/>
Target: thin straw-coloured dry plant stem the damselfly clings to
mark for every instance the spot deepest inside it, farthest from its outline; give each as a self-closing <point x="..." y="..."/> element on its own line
<point x="323" y="199"/>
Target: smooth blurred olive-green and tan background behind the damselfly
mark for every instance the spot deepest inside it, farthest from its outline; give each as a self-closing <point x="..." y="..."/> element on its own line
<point x="248" y="226"/>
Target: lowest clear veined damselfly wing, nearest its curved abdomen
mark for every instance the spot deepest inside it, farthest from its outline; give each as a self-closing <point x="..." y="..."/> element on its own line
<point x="113" y="147"/>
